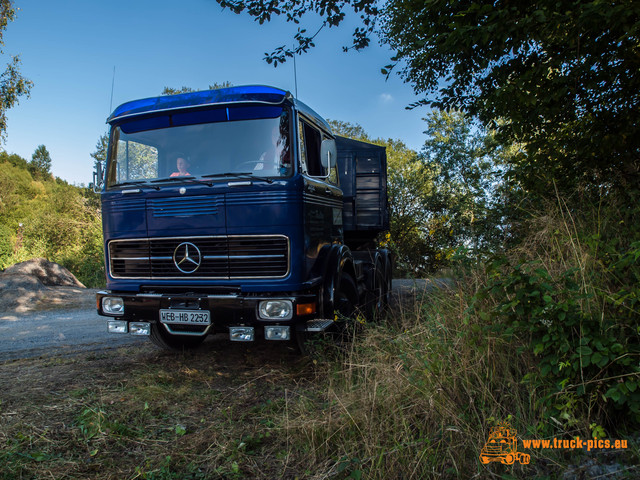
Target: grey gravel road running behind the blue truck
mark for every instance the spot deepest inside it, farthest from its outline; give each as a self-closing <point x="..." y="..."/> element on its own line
<point x="68" y="331"/>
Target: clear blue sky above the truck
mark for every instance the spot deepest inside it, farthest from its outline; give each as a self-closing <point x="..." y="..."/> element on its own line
<point x="69" y="50"/>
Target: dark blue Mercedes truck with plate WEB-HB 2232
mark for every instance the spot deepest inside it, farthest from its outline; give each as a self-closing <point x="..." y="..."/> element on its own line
<point x="238" y="211"/>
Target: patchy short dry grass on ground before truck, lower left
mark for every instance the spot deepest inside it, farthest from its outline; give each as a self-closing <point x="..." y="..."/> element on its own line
<point x="146" y="414"/>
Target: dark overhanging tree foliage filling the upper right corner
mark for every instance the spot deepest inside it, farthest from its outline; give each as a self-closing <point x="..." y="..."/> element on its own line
<point x="562" y="77"/>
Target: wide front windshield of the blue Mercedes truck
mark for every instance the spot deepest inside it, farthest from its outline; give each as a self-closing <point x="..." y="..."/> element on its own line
<point x="201" y="144"/>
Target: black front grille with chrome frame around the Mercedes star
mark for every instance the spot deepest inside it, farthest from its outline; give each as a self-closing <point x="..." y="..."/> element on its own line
<point x="223" y="257"/>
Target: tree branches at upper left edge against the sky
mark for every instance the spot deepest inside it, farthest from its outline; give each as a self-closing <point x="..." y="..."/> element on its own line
<point x="12" y="84"/>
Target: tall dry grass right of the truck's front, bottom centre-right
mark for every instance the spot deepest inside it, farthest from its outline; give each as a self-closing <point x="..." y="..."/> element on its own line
<point x="415" y="397"/>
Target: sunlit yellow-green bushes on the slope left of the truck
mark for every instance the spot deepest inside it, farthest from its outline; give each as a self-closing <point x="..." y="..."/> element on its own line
<point x="45" y="217"/>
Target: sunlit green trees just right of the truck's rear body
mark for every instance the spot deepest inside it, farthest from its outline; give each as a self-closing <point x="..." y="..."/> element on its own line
<point x="444" y="197"/>
